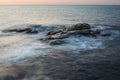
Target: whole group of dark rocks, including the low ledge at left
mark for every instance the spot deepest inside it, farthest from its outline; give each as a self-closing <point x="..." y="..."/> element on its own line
<point x="56" y="37"/>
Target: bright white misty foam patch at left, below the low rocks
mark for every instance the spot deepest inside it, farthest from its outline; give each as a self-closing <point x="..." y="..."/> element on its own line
<point x="21" y="54"/>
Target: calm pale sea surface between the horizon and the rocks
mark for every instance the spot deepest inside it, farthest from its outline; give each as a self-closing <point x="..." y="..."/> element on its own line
<point x="12" y="15"/>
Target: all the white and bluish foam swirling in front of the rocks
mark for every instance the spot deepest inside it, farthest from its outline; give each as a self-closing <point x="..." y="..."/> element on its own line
<point x="30" y="46"/>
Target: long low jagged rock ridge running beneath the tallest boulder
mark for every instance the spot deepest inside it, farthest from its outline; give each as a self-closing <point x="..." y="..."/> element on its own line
<point x="62" y="35"/>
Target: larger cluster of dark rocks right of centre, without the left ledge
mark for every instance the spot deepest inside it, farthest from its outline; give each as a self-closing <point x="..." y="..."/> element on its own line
<point x="56" y="37"/>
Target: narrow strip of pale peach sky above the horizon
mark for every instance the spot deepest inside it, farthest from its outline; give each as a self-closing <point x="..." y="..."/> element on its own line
<point x="95" y="2"/>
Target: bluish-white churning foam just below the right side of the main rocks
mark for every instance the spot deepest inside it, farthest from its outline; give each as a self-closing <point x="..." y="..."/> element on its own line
<point x="81" y="43"/>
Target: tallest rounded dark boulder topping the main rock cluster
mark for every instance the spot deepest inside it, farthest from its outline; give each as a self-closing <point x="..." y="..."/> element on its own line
<point x="79" y="27"/>
